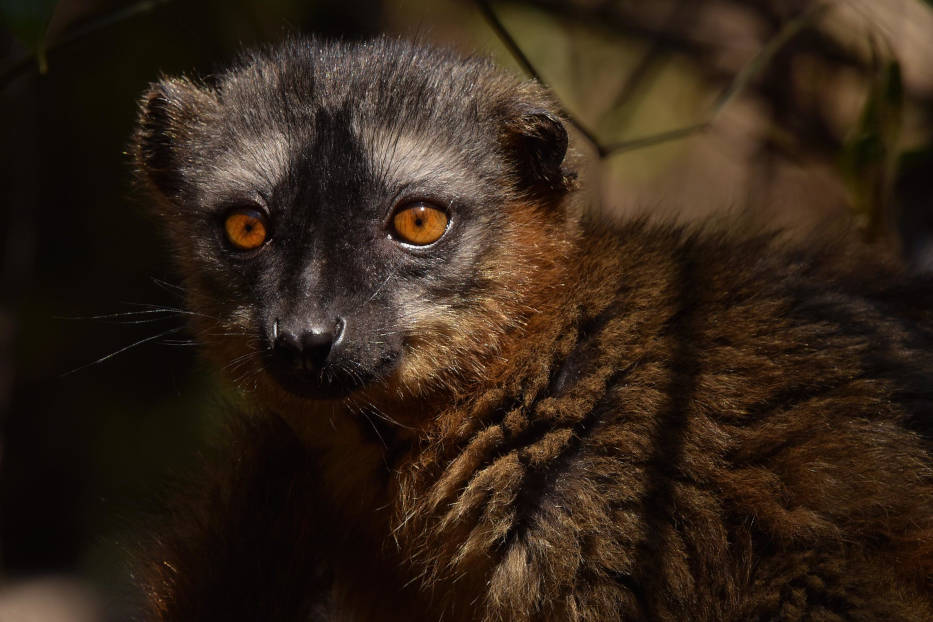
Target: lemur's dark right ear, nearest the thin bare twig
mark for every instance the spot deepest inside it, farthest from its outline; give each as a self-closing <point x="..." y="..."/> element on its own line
<point x="538" y="140"/>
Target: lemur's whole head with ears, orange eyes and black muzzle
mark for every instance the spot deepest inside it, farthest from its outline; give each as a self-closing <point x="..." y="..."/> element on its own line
<point x="358" y="215"/>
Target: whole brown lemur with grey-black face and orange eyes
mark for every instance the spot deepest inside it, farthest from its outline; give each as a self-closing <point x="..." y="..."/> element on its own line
<point x="469" y="400"/>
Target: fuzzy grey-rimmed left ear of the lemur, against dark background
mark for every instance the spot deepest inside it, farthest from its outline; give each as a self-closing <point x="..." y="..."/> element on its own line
<point x="170" y="112"/>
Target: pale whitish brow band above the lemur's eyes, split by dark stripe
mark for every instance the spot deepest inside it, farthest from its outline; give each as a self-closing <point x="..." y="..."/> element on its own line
<point x="262" y="149"/>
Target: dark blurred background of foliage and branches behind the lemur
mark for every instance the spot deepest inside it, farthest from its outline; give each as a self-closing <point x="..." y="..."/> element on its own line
<point x="835" y="124"/>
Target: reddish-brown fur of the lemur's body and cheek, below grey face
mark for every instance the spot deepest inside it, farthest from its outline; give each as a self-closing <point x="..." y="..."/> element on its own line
<point x="634" y="424"/>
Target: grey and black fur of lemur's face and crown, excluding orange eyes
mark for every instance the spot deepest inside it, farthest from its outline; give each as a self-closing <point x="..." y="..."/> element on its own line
<point x="328" y="141"/>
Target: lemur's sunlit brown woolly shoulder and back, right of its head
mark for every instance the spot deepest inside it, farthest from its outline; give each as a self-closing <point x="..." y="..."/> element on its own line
<point x="704" y="401"/>
